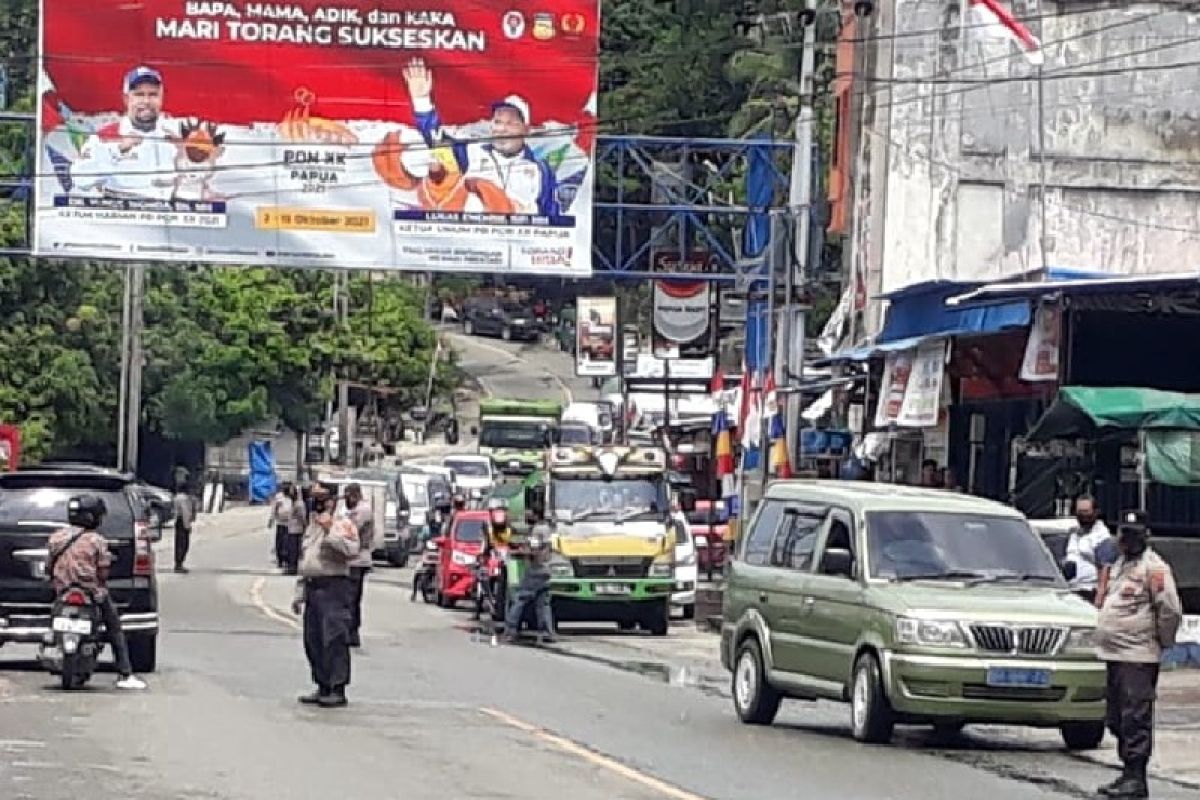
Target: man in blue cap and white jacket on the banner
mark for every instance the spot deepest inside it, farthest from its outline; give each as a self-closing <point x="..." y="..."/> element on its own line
<point x="134" y="158"/>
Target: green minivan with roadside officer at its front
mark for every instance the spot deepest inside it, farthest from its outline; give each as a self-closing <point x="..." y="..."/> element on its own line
<point x="915" y="606"/>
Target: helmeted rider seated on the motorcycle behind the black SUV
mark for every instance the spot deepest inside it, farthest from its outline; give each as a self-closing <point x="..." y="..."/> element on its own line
<point x="80" y="556"/>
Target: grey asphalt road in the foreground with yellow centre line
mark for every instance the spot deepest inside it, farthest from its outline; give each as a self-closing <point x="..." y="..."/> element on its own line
<point x="435" y="712"/>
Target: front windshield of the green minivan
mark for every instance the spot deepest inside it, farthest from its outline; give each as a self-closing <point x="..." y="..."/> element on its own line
<point x="925" y="545"/>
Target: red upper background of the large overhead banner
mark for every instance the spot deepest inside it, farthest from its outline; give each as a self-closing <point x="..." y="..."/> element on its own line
<point x="91" y="45"/>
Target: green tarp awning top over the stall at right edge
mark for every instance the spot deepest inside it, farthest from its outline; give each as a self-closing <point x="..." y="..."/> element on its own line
<point x="1089" y="412"/>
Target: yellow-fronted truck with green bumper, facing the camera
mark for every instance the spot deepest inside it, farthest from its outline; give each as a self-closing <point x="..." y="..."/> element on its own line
<point x="613" y="536"/>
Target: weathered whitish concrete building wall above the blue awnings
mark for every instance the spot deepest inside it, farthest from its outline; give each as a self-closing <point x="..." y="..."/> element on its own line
<point x="969" y="164"/>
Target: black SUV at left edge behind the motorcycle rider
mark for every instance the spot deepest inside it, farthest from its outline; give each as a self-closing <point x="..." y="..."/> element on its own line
<point x="33" y="507"/>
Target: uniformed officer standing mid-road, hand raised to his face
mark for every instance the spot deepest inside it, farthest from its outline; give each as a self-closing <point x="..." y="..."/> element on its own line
<point x="325" y="596"/>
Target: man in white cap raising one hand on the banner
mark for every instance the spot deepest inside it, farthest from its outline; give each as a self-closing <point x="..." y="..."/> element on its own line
<point x="505" y="159"/>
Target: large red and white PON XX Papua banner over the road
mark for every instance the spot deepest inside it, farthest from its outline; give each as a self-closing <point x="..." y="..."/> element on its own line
<point x="411" y="135"/>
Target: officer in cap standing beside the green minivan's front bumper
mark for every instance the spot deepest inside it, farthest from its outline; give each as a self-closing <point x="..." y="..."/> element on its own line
<point x="1139" y="618"/>
